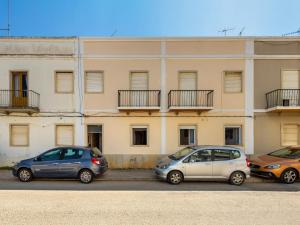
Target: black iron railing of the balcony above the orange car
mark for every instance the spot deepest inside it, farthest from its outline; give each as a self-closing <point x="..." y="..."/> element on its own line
<point x="283" y="97"/>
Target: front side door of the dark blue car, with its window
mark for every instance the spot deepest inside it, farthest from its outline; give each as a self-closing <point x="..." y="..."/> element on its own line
<point x="48" y="164"/>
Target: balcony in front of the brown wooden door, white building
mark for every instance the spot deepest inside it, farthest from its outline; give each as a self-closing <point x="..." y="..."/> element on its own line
<point x="25" y="101"/>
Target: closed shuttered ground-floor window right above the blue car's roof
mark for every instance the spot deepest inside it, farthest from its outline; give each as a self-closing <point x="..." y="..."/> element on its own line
<point x="64" y="135"/>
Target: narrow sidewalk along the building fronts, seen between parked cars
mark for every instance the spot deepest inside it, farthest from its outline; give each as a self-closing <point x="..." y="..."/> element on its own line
<point x="128" y="175"/>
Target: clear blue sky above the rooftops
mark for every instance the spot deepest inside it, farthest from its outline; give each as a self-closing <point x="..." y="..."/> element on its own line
<point x="150" y="17"/>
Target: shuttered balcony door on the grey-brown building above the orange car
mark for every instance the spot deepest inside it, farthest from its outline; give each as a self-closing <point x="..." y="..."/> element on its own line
<point x="290" y="85"/>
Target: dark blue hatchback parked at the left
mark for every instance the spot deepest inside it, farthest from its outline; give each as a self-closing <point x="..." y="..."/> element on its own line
<point x="63" y="162"/>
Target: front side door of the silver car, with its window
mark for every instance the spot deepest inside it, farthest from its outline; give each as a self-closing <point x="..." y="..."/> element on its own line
<point x="198" y="165"/>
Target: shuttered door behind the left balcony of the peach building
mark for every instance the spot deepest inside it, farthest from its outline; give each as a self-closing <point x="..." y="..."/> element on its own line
<point x="139" y="87"/>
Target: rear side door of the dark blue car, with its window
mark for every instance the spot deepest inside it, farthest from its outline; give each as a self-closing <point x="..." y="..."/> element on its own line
<point x="71" y="162"/>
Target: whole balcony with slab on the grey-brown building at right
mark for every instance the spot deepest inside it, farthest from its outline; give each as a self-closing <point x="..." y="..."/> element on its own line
<point x="283" y="100"/>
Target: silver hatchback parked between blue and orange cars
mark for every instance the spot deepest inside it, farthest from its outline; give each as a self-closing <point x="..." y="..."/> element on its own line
<point x="205" y="162"/>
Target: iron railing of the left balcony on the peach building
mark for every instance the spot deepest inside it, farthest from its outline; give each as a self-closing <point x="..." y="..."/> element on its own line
<point x="139" y="98"/>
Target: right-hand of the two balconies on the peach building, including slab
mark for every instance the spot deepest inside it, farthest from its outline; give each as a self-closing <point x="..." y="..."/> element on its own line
<point x="190" y="100"/>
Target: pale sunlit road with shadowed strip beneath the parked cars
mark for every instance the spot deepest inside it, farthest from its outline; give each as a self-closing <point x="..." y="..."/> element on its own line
<point x="39" y="207"/>
